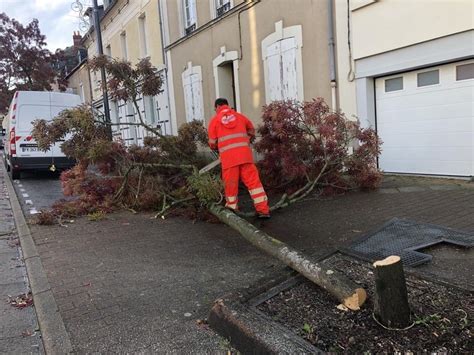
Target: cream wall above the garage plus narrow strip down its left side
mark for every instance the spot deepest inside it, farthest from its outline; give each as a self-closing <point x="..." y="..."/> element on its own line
<point x="379" y="26"/>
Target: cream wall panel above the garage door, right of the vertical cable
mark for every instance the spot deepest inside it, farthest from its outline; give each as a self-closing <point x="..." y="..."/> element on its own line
<point x="385" y="25"/>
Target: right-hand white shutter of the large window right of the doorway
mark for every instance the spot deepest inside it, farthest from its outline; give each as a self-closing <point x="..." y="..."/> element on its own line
<point x="289" y="78"/>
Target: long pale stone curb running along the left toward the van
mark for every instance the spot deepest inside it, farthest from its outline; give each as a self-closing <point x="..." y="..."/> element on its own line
<point x="55" y="337"/>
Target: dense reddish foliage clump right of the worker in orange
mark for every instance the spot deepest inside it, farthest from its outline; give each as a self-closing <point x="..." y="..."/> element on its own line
<point x="299" y="140"/>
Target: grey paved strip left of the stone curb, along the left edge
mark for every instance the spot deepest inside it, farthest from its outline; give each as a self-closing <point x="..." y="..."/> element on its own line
<point x="19" y="332"/>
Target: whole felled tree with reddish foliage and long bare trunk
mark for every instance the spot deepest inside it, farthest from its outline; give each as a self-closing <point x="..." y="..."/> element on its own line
<point x="304" y="147"/>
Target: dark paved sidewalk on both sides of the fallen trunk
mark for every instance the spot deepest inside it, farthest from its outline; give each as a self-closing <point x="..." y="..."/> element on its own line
<point x="131" y="283"/>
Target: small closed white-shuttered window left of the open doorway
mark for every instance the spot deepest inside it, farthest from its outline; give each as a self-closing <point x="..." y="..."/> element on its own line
<point x="193" y="99"/>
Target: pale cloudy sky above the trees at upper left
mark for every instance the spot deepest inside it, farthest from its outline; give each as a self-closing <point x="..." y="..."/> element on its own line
<point x="57" y="19"/>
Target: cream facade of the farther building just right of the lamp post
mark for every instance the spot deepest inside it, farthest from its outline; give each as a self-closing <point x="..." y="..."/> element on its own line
<point x="131" y="32"/>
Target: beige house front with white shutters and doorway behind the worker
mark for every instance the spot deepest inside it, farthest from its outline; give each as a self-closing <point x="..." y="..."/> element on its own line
<point x="250" y="52"/>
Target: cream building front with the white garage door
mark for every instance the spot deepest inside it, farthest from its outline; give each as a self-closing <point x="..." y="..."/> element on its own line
<point x="406" y="68"/>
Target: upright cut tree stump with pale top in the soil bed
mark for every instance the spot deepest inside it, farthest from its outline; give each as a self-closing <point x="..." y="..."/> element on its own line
<point x="391" y="300"/>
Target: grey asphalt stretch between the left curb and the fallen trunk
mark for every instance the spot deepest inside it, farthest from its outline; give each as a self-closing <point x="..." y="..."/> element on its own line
<point x="139" y="283"/>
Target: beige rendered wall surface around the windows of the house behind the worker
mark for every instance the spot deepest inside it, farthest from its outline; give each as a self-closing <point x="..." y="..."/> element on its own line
<point x="256" y="23"/>
